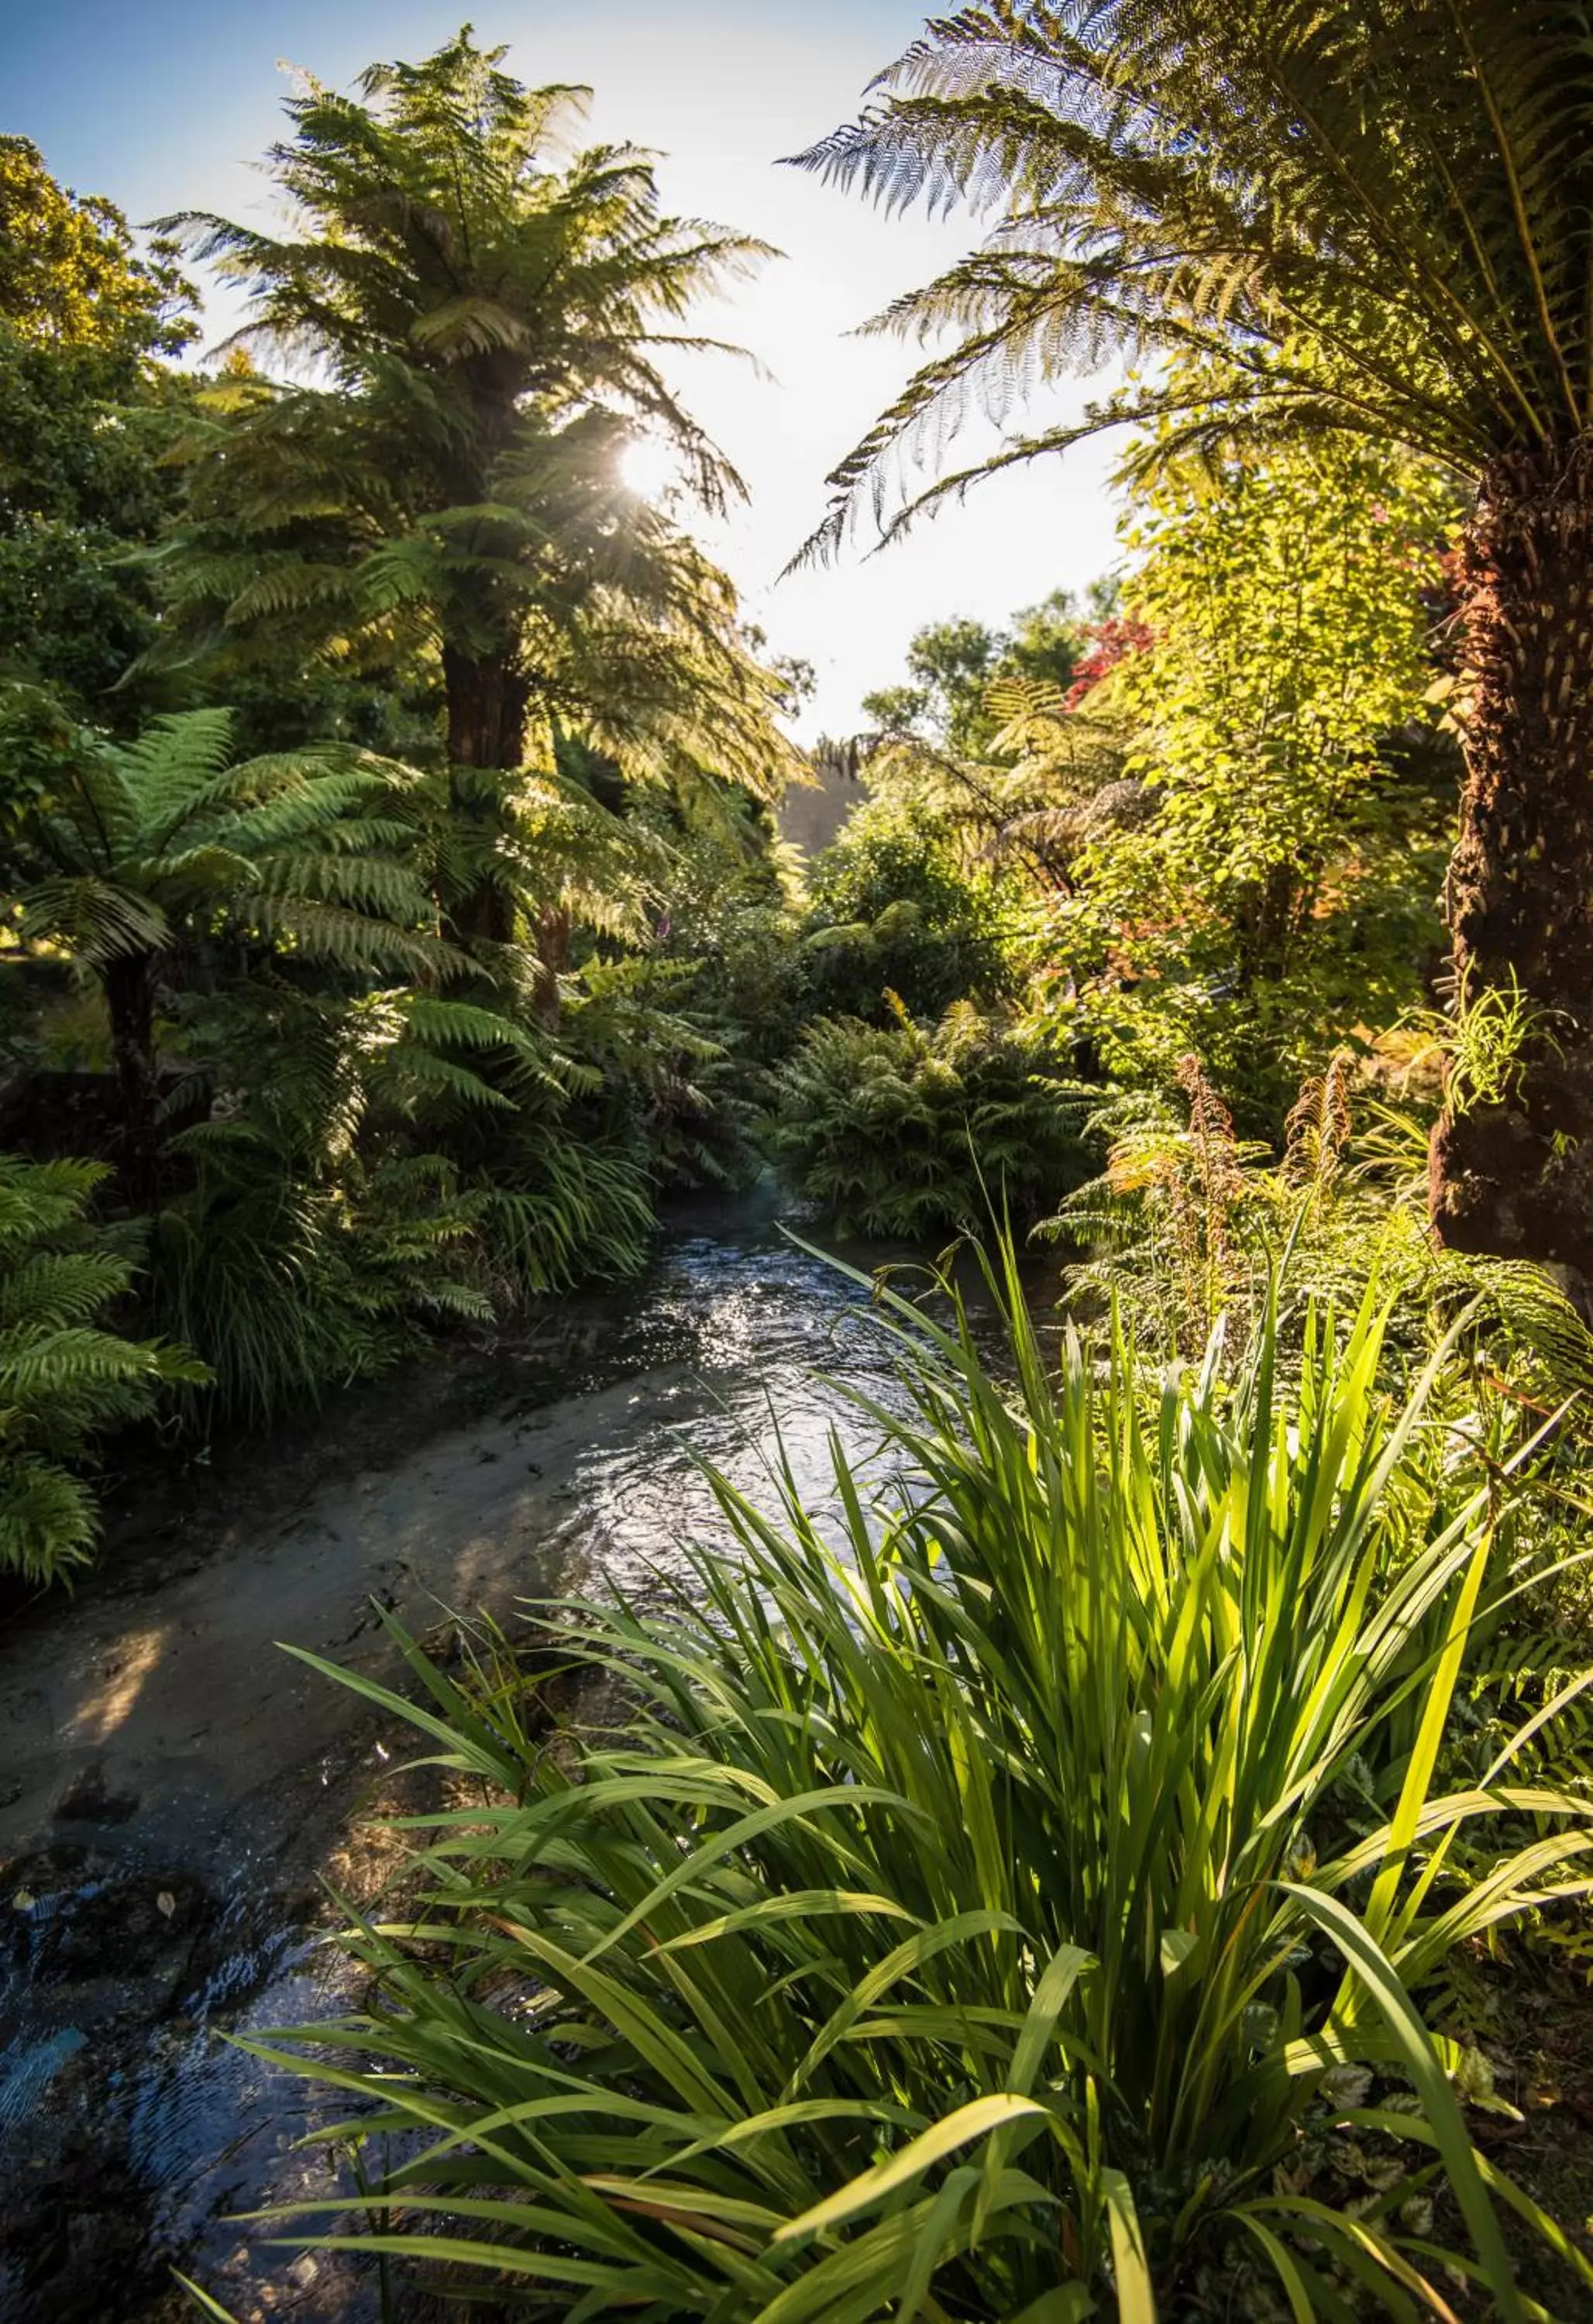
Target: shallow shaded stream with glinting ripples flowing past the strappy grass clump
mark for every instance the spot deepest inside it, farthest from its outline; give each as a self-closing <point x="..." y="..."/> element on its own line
<point x="176" y="1793"/>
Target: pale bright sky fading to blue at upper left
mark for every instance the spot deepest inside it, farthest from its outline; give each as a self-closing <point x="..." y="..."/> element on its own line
<point x="169" y="106"/>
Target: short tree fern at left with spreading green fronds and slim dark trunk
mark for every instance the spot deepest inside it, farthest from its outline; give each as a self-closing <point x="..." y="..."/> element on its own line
<point x="134" y="852"/>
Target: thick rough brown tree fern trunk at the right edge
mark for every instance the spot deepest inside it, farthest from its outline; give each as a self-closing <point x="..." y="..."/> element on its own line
<point x="1515" y="1177"/>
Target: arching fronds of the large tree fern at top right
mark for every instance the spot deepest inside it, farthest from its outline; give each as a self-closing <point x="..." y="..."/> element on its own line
<point x="1357" y="217"/>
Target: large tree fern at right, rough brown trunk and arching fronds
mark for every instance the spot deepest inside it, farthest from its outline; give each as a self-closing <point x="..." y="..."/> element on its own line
<point x="1364" y="220"/>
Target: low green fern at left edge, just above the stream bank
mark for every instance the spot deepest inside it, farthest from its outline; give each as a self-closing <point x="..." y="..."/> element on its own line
<point x="64" y="1377"/>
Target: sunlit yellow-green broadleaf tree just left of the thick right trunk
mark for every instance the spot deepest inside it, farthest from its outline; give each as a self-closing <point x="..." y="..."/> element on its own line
<point x="1280" y="891"/>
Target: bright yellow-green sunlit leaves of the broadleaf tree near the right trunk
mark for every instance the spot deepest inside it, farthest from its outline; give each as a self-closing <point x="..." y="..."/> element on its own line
<point x="1287" y="608"/>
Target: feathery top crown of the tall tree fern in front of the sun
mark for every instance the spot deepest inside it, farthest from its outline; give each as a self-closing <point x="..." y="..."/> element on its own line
<point x="431" y="213"/>
